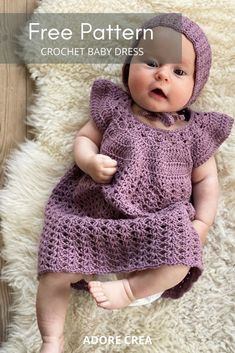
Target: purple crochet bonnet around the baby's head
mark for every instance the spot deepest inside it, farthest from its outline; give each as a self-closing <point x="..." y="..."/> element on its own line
<point x="196" y="36"/>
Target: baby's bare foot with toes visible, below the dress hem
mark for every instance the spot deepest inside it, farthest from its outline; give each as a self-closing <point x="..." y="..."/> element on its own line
<point x="111" y="295"/>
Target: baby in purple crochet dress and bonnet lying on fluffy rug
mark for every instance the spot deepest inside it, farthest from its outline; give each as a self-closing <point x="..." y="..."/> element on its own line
<point x="144" y="191"/>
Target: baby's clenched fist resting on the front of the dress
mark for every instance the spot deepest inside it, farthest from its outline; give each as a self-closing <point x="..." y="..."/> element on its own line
<point x="101" y="168"/>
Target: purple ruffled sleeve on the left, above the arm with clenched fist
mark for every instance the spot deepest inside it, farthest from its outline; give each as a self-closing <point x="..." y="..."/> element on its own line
<point x="104" y="97"/>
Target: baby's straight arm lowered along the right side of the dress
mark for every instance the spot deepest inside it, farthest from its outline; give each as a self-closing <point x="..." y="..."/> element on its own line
<point x="205" y="196"/>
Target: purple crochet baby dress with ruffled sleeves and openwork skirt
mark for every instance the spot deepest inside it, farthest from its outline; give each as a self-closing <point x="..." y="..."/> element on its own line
<point x="143" y="218"/>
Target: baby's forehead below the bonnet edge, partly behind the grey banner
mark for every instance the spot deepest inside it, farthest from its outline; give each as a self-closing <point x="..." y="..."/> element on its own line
<point x="168" y="45"/>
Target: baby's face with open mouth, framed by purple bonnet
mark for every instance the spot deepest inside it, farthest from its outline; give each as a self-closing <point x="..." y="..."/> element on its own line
<point x="162" y="80"/>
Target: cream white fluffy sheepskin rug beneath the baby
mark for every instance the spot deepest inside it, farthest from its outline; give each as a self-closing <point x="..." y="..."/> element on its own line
<point x="201" y="321"/>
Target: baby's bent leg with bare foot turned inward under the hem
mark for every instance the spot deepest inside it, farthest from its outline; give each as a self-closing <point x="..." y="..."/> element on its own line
<point x="140" y="284"/>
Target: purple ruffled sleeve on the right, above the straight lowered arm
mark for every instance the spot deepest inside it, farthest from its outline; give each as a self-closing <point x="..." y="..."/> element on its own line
<point x="210" y="131"/>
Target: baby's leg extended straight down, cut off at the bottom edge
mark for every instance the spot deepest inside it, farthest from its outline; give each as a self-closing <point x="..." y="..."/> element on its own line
<point x="52" y="301"/>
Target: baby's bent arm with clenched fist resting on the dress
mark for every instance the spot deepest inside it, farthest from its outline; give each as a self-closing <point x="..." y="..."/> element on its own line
<point x="86" y="154"/>
